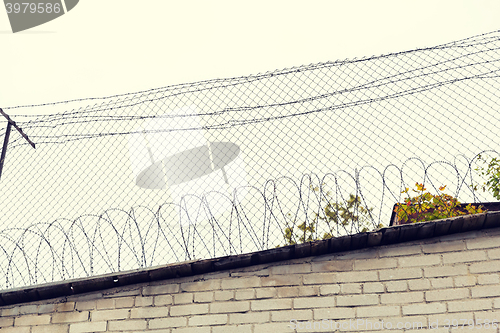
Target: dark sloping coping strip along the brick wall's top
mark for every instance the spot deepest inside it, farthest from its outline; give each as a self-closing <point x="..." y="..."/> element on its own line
<point x="384" y="236"/>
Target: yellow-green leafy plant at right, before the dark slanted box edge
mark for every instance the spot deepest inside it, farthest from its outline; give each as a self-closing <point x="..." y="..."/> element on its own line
<point x="427" y="207"/>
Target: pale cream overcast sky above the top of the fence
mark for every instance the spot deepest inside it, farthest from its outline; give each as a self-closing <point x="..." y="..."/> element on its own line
<point x="102" y="48"/>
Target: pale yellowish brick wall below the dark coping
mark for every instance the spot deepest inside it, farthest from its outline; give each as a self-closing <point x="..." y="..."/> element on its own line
<point x="453" y="279"/>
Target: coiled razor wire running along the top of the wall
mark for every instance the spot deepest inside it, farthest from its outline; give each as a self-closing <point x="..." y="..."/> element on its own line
<point x="94" y="244"/>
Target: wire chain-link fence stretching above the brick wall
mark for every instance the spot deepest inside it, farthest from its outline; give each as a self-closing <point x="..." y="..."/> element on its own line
<point x="236" y="165"/>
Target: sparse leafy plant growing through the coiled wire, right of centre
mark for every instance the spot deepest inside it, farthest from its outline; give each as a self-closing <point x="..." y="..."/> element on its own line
<point x="334" y="216"/>
